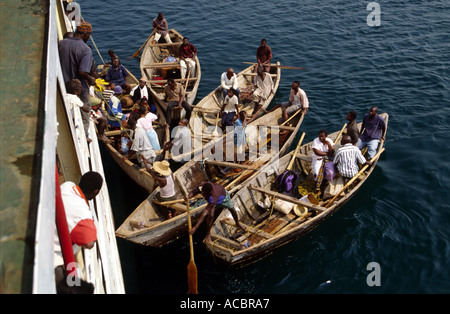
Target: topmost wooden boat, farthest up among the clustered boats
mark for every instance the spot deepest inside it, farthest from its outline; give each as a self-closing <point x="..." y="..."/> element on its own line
<point x="156" y="70"/>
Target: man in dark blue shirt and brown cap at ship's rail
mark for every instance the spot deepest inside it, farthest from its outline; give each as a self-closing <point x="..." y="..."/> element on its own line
<point x="76" y="62"/>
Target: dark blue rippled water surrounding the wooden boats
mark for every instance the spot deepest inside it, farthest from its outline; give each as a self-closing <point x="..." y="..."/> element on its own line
<point x="399" y="219"/>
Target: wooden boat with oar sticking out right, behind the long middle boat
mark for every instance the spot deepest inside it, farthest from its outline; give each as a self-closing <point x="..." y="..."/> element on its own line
<point x="206" y="110"/>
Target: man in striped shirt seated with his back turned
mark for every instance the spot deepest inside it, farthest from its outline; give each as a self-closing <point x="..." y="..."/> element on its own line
<point x="347" y="158"/>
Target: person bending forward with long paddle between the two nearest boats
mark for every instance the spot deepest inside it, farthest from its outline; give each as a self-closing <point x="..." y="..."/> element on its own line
<point x="217" y="197"/>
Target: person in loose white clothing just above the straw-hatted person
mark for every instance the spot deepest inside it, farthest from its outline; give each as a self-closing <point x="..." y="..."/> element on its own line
<point x="141" y="144"/>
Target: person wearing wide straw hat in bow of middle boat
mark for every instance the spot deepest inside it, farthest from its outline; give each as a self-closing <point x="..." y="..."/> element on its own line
<point x="161" y="172"/>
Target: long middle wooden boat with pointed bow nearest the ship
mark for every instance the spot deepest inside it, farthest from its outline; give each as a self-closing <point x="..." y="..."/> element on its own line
<point x="148" y="226"/>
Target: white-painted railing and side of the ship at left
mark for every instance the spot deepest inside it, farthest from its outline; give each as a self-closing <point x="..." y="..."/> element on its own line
<point x="100" y="265"/>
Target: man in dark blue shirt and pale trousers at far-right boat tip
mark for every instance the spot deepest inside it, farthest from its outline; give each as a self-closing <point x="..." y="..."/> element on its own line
<point x="374" y="130"/>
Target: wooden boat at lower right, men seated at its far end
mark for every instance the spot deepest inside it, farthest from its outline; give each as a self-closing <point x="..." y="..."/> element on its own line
<point x="268" y="229"/>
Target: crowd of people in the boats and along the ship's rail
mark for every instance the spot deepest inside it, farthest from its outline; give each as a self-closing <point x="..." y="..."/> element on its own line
<point x="104" y="103"/>
